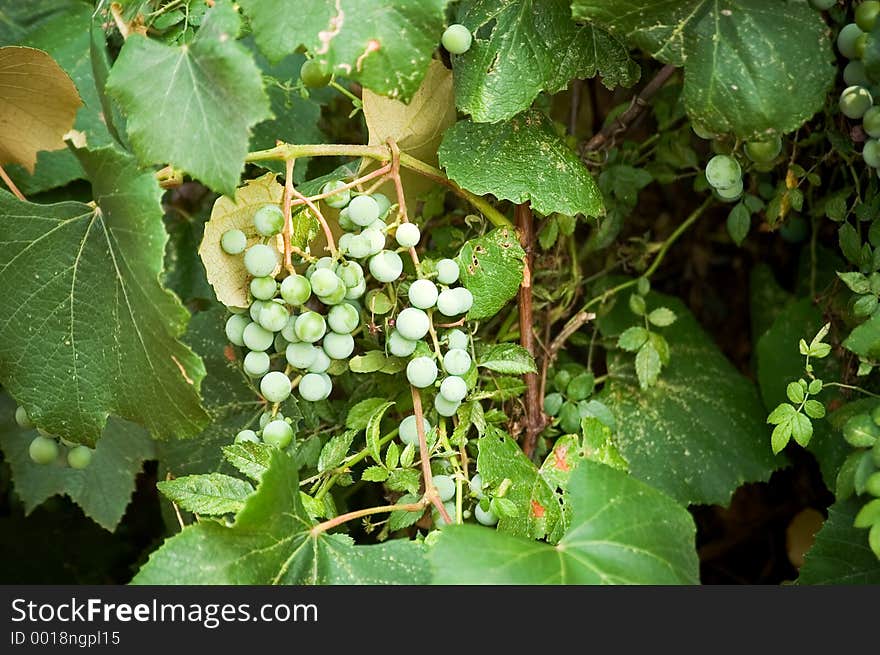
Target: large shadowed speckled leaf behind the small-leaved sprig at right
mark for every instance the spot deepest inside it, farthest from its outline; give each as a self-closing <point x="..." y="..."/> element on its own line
<point x="699" y="432"/>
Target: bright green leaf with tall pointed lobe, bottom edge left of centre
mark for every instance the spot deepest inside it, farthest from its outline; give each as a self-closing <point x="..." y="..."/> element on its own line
<point x="271" y="543"/>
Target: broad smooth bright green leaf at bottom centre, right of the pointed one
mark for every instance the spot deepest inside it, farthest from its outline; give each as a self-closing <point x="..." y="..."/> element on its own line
<point x="622" y="532"/>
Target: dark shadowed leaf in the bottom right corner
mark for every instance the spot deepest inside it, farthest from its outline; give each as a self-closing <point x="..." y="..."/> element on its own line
<point x="841" y="554"/>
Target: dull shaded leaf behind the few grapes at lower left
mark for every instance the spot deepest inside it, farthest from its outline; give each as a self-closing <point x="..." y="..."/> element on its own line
<point x="102" y="490"/>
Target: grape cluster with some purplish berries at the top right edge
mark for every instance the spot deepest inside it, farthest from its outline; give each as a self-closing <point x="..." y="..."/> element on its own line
<point x="857" y="101"/>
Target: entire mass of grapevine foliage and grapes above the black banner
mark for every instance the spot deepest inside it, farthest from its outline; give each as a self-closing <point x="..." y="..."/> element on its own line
<point x="424" y="291"/>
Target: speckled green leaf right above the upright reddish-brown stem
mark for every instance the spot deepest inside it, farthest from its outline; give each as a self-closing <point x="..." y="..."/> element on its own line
<point x="520" y="160"/>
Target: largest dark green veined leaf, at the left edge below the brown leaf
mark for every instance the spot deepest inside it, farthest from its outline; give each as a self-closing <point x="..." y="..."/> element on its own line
<point x="90" y="331"/>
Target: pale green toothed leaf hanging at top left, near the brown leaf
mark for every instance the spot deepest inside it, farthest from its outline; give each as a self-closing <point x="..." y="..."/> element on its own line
<point x="192" y="105"/>
